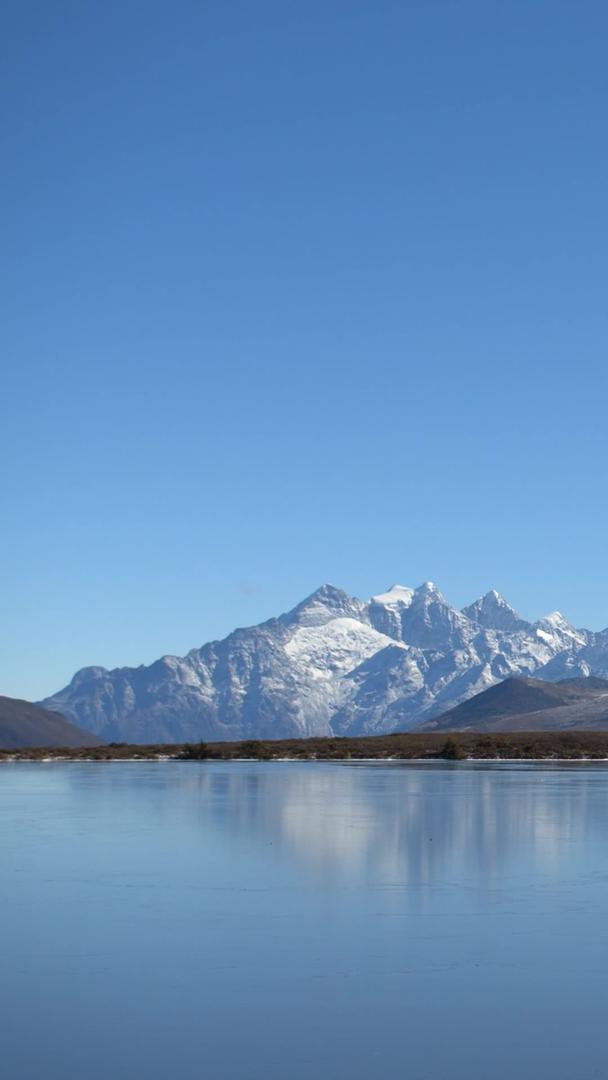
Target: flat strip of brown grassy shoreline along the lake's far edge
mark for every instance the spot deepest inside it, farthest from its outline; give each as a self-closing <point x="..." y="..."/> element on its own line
<point x="508" y="746"/>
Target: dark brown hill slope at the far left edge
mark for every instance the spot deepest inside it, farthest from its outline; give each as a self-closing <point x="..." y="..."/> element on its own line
<point x="24" y="725"/>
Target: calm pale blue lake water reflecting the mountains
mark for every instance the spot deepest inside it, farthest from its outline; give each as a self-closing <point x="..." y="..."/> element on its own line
<point x="255" y="922"/>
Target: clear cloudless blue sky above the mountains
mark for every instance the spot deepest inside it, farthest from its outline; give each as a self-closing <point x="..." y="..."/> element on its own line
<point x="293" y="293"/>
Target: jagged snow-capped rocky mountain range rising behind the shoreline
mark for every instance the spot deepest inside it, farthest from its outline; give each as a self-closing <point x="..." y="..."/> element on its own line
<point x="333" y="666"/>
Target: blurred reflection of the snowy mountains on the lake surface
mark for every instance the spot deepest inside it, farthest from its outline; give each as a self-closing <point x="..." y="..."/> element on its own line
<point x="404" y="823"/>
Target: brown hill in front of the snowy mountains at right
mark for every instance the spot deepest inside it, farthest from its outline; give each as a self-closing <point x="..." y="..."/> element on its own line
<point x="531" y="705"/>
